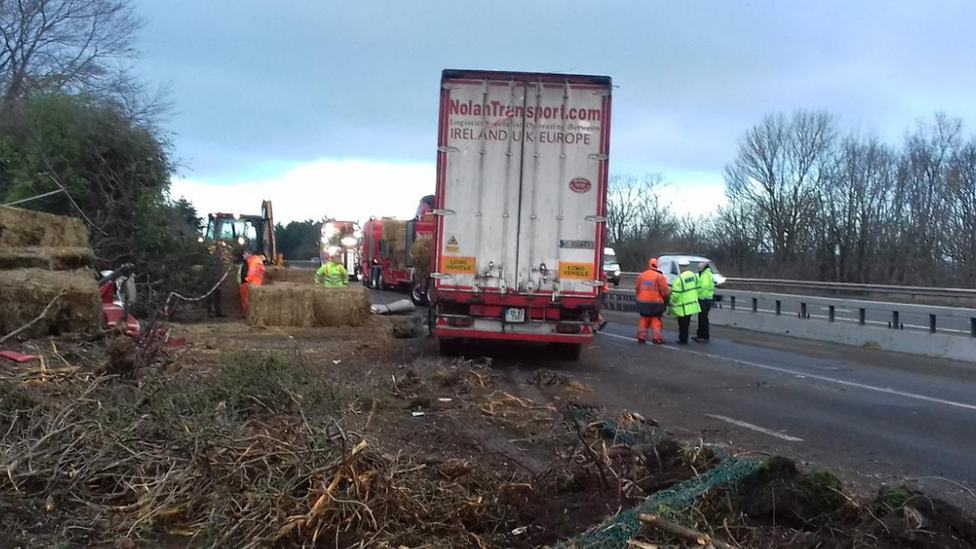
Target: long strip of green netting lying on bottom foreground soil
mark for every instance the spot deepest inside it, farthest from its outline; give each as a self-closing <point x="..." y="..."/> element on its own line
<point x="615" y="532"/>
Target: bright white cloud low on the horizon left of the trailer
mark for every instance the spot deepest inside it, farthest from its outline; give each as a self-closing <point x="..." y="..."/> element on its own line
<point x="341" y="189"/>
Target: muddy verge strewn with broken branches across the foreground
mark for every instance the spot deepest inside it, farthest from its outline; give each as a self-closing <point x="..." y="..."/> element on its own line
<point x="349" y="437"/>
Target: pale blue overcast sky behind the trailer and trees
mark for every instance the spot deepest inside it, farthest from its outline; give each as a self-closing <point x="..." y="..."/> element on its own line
<point x="329" y="108"/>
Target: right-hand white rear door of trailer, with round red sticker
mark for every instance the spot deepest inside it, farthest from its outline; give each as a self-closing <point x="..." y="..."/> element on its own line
<point x="563" y="186"/>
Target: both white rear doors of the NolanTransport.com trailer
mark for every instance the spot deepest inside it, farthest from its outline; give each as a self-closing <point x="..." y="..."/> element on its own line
<point x="522" y="168"/>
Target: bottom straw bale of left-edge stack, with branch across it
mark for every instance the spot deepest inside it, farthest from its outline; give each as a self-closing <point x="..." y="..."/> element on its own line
<point x="25" y="292"/>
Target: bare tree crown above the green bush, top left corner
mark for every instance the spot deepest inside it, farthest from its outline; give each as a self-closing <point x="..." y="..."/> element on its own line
<point x="64" y="44"/>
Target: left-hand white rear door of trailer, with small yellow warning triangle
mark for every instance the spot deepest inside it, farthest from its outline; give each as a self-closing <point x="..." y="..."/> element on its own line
<point x="480" y="161"/>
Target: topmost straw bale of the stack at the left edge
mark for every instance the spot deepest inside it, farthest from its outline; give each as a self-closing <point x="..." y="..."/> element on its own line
<point x="22" y="228"/>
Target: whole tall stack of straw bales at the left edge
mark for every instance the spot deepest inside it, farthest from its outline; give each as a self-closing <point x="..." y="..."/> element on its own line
<point x="43" y="256"/>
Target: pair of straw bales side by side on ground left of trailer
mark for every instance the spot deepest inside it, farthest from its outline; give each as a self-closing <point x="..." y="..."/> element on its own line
<point x="306" y="305"/>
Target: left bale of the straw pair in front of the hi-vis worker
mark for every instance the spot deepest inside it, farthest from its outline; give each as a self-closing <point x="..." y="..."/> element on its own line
<point x="282" y="304"/>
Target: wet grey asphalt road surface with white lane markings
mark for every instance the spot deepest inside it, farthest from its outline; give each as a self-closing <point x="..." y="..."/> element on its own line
<point x="873" y="414"/>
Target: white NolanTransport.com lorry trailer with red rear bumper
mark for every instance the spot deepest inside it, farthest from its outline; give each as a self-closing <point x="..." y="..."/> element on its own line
<point x="520" y="208"/>
